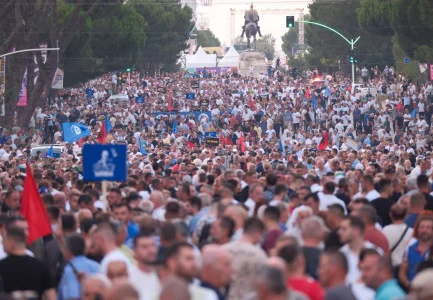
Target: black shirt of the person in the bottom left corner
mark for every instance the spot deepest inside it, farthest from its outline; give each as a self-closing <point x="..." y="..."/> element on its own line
<point x="25" y="273"/>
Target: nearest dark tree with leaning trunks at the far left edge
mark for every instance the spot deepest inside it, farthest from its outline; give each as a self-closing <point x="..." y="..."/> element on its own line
<point x="23" y="25"/>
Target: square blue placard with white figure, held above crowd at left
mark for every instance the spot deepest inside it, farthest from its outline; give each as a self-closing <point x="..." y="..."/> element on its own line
<point x="104" y="162"/>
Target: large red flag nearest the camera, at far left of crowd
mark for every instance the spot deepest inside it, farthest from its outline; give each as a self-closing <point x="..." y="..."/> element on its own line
<point x="33" y="209"/>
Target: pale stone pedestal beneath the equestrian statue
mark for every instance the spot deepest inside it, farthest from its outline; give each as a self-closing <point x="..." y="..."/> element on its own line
<point x="252" y="63"/>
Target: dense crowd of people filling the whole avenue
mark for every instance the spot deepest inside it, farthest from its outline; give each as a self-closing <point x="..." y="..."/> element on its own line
<point x="308" y="190"/>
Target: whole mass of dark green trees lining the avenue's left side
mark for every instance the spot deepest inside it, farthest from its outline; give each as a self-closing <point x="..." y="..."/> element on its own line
<point x="93" y="39"/>
